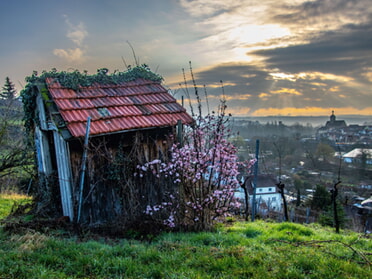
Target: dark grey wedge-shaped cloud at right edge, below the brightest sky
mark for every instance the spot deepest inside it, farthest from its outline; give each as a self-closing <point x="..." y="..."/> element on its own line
<point x="339" y="52"/>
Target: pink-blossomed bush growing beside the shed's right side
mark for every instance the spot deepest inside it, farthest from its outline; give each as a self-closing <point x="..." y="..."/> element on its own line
<point x="204" y="172"/>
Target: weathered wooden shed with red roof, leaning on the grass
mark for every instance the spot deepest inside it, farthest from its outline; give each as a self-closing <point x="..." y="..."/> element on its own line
<point x="128" y="123"/>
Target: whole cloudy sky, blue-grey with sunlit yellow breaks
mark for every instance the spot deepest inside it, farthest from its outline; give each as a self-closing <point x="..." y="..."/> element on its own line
<point x="274" y="57"/>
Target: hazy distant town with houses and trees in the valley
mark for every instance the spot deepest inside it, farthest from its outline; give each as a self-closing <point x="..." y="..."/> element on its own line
<point x="307" y="155"/>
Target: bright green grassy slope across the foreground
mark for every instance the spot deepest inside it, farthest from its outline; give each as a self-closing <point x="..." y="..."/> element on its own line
<point x="238" y="250"/>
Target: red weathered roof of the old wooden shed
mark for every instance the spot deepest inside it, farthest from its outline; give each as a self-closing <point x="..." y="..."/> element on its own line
<point x="138" y="104"/>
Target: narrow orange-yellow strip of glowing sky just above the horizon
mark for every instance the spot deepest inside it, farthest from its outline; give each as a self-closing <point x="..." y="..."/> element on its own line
<point x="310" y="111"/>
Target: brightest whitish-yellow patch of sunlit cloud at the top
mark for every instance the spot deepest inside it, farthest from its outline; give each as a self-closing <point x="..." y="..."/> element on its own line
<point x="231" y="28"/>
